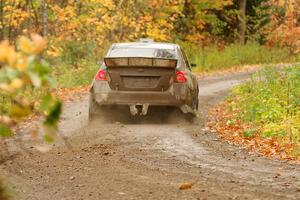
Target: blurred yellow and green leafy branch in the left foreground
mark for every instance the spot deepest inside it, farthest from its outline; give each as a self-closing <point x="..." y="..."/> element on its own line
<point x="25" y="83"/>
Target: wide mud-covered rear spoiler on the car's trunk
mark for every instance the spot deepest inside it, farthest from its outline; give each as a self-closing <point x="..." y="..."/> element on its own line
<point x="140" y="62"/>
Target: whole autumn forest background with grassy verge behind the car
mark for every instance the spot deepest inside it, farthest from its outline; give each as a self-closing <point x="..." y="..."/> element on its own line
<point x="79" y="31"/>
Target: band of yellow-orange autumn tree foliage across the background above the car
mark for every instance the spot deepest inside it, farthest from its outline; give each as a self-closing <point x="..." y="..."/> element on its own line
<point x="101" y="22"/>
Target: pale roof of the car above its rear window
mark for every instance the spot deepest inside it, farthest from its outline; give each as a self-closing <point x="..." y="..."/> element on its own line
<point x="150" y="45"/>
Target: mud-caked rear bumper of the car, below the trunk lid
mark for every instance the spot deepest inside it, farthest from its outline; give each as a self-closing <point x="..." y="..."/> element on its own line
<point x="103" y="95"/>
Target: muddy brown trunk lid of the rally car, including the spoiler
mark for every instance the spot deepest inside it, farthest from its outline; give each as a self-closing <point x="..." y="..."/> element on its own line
<point x="140" y="74"/>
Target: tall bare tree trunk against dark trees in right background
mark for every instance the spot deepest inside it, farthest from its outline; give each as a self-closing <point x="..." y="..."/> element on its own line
<point x="242" y="21"/>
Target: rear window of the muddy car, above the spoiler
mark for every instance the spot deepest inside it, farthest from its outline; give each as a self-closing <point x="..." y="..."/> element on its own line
<point x="143" y="52"/>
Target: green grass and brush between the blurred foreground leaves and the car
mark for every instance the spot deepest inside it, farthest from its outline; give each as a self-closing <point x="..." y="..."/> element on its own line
<point x="77" y="65"/>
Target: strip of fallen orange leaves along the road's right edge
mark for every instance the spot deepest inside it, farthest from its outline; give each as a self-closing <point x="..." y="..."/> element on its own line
<point x="230" y="128"/>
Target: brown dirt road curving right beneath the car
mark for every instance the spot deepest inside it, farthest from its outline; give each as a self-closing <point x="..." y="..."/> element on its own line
<point x="117" y="158"/>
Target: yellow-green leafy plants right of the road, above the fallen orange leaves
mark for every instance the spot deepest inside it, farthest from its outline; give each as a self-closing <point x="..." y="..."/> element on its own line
<point x="271" y="101"/>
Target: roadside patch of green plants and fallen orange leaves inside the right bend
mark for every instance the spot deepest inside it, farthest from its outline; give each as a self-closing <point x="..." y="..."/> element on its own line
<point x="263" y="114"/>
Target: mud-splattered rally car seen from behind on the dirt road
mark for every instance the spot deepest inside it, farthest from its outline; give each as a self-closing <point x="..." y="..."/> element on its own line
<point x="143" y="74"/>
